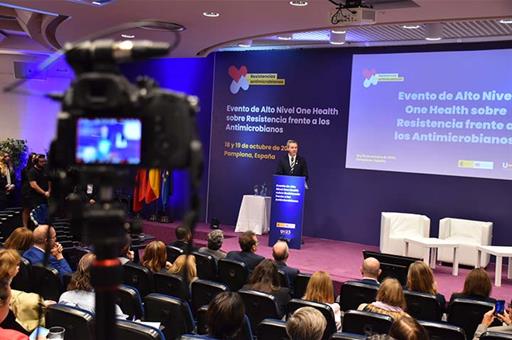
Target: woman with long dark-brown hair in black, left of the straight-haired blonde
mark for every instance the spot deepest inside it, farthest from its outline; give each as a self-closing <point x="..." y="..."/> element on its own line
<point x="265" y="278"/>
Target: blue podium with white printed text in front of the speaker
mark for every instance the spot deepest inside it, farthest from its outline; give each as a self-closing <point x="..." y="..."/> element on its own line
<point x="287" y="210"/>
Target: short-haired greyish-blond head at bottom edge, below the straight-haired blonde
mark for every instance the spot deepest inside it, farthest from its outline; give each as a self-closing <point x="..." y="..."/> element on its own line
<point x="306" y="323"/>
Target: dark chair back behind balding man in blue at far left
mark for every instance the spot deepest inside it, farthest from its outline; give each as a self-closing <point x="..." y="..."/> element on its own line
<point x="46" y="282"/>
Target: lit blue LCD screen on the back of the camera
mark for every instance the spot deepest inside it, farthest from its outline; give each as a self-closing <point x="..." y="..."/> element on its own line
<point x="113" y="141"/>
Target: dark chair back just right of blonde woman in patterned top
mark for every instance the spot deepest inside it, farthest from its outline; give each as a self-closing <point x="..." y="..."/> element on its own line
<point x="423" y="306"/>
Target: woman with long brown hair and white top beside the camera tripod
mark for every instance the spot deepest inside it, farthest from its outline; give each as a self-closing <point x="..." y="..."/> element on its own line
<point x="80" y="292"/>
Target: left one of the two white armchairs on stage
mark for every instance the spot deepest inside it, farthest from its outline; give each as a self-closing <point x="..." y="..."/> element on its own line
<point x="394" y="227"/>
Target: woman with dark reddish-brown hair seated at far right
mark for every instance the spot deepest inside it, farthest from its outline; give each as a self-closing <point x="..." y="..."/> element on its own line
<point x="477" y="286"/>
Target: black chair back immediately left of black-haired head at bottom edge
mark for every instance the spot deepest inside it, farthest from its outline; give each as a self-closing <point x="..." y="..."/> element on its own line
<point x="173" y="313"/>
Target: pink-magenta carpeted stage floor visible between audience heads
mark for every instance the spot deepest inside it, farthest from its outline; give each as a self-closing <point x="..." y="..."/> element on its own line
<point x="341" y="259"/>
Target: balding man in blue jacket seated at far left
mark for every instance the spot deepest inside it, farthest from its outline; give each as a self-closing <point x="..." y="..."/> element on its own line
<point x="35" y="254"/>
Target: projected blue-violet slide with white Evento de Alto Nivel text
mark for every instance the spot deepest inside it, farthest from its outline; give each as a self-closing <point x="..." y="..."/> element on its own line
<point x="445" y="113"/>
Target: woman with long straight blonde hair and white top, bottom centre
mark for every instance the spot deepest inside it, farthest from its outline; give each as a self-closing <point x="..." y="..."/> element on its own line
<point x="320" y="289"/>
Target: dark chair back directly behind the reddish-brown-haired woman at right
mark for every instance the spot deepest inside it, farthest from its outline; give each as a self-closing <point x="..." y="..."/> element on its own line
<point x="467" y="314"/>
